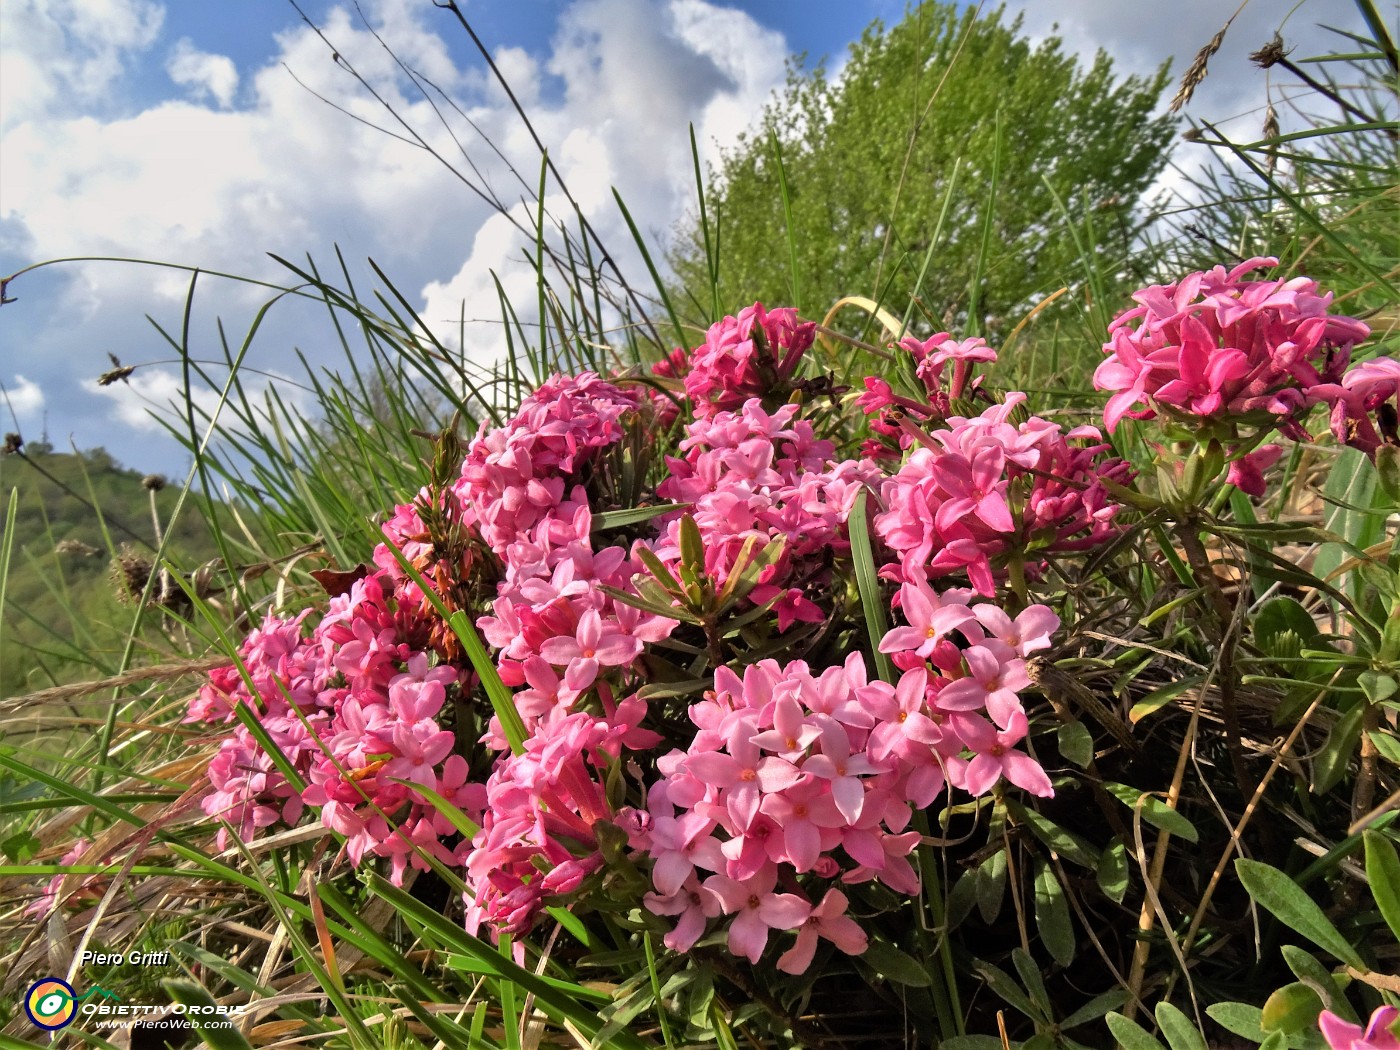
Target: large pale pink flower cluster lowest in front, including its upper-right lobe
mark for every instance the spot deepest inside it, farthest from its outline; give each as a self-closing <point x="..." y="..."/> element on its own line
<point x="794" y="773"/>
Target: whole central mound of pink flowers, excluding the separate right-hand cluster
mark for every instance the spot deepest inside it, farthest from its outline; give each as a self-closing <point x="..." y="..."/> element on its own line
<point x="797" y="782"/>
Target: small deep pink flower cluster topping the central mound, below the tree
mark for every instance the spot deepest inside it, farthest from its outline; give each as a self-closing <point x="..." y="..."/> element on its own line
<point x="748" y="356"/>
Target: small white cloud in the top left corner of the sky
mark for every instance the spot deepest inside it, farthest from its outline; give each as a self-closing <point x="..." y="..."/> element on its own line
<point x="66" y="55"/>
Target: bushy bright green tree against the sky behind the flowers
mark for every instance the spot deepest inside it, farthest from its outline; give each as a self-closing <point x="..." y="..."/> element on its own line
<point x="870" y="159"/>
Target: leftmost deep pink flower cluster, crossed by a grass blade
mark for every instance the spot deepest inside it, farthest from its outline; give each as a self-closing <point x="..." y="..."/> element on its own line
<point x="355" y="710"/>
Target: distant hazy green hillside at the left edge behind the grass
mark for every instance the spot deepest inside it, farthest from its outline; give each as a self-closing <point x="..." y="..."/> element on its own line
<point x="64" y="619"/>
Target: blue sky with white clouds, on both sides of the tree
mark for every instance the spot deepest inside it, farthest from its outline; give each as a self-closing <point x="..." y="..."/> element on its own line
<point x="173" y="129"/>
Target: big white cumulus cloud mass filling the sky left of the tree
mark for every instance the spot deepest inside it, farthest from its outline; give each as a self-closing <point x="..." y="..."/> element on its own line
<point x="255" y="164"/>
